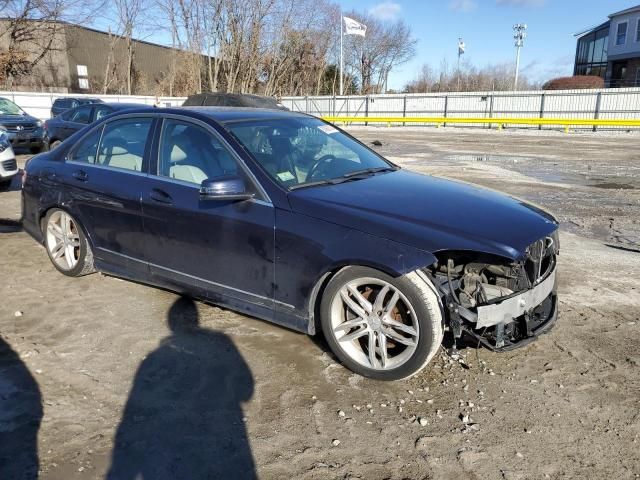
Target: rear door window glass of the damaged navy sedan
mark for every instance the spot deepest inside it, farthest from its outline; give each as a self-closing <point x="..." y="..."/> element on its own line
<point x="123" y="143"/>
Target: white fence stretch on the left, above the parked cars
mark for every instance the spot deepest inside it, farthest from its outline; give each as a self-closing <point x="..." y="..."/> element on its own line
<point x="39" y="104"/>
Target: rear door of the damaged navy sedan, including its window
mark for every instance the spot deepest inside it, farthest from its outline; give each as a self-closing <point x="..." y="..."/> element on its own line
<point x="104" y="173"/>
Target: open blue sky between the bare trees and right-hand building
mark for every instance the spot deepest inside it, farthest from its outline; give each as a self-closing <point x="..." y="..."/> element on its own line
<point x="486" y="28"/>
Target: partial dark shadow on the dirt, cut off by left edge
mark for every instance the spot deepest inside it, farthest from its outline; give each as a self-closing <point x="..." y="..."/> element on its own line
<point x="20" y="417"/>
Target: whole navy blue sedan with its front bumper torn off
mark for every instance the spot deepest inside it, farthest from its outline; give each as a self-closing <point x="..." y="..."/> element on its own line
<point x="222" y="204"/>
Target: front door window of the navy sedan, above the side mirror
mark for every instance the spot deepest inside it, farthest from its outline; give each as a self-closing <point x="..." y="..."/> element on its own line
<point x="190" y="153"/>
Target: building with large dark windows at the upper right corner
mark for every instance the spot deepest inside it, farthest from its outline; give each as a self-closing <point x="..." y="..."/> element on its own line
<point x="612" y="50"/>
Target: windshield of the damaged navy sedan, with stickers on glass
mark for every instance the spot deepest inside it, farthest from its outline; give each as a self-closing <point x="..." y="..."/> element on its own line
<point x="298" y="152"/>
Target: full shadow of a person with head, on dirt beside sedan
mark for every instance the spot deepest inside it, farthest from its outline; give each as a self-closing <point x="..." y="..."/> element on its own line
<point x="183" y="418"/>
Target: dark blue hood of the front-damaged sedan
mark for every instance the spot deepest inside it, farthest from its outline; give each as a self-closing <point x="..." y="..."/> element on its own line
<point x="428" y="213"/>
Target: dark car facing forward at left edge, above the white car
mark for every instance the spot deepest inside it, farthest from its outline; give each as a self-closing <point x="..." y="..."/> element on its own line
<point x="22" y="129"/>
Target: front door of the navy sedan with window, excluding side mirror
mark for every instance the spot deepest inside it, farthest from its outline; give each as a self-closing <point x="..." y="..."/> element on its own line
<point x="222" y="248"/>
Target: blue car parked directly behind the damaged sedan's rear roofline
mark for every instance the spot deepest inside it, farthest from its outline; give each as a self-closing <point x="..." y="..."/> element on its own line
<point x="60" y="128"/>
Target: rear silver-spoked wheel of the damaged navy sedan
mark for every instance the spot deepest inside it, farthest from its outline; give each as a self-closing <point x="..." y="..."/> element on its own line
<point x="66" y="244"/>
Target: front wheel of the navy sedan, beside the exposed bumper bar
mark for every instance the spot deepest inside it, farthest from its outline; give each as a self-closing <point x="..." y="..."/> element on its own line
<point x="409" y="331"/>
